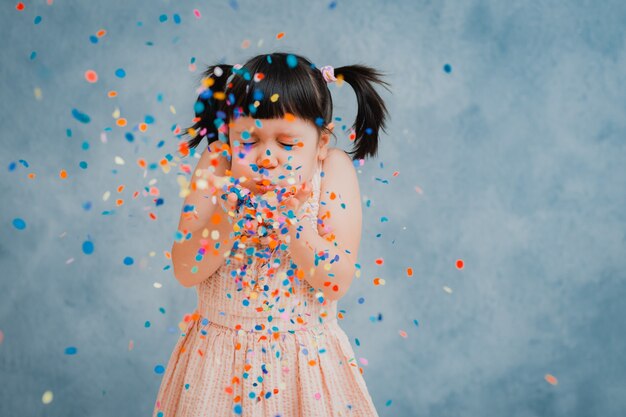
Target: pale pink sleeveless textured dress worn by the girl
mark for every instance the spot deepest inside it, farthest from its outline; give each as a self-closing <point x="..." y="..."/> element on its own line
<point x="260" y="343"/>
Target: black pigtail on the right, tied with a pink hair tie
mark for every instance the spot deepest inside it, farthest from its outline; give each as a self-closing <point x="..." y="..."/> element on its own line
<point x="372" y="112"/>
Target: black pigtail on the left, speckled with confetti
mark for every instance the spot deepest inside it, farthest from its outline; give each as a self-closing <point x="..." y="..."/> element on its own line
<point x="210" y="101"/>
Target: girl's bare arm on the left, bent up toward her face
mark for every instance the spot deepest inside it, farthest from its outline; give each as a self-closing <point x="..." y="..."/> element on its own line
<point x="199" y="209"/>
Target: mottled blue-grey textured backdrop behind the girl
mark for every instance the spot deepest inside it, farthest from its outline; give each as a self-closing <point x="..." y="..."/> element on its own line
<point x="518" y="150"/>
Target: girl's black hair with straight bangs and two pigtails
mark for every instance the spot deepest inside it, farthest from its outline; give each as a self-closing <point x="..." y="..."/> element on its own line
<point x="269" y="86"/>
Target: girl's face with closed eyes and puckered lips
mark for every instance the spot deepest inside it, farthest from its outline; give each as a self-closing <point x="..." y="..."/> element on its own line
<point x="276" y="152"/>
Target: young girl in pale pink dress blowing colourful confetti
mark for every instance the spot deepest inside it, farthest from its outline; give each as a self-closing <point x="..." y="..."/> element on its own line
<point x="268" y="236"/>
